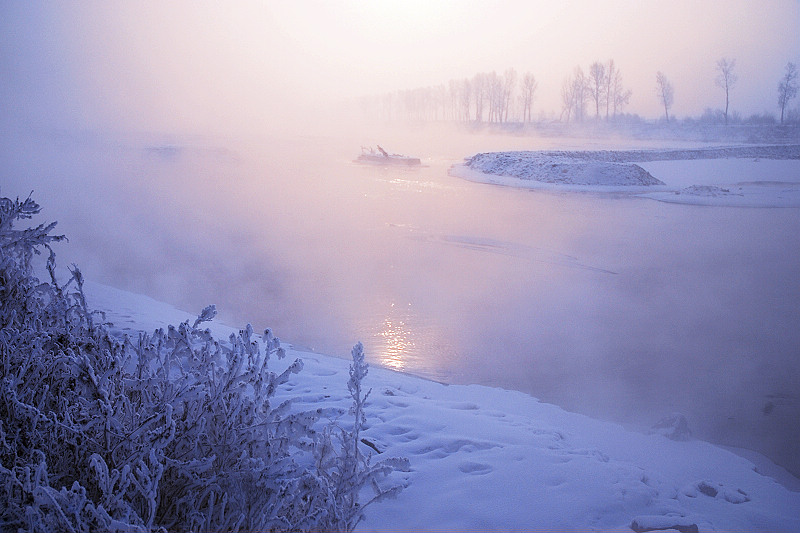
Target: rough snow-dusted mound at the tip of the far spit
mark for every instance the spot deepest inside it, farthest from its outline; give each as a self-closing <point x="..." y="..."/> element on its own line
<point x="561" y="169"/>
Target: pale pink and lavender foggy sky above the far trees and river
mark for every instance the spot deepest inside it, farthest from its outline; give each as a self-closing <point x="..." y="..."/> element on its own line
<point x="246" y="66"/>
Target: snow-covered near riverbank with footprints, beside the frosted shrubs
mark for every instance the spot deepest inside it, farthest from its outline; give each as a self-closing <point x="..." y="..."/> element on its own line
<point x="484" y="458"/>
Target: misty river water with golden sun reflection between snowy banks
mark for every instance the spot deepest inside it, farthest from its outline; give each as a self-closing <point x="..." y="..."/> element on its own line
<point x="615" y="306"/>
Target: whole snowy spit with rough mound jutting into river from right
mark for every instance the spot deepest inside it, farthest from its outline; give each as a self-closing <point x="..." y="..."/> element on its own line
<point x="742" y="176"/>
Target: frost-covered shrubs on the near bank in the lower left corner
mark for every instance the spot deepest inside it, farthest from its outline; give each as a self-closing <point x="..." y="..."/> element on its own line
<point x="170" y="431"/>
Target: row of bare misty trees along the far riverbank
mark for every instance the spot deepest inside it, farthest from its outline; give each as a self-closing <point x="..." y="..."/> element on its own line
<point x="598" y="93"/>
